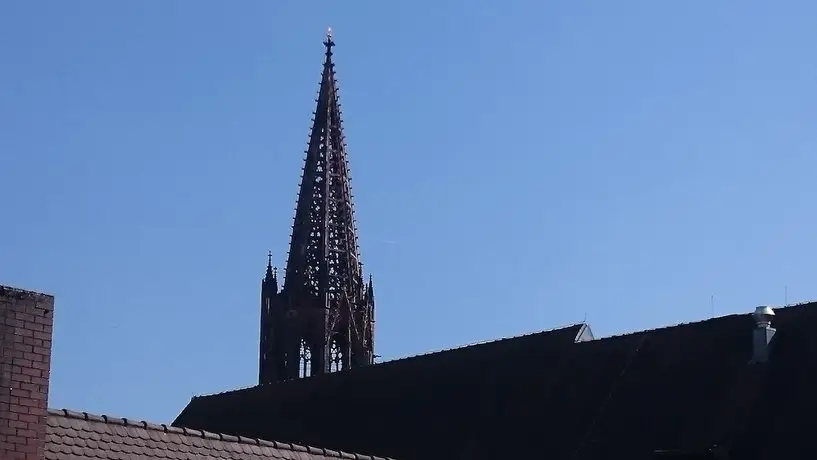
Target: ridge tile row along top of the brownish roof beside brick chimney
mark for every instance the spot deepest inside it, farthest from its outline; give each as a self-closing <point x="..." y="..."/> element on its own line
<point x="208" y="435"/>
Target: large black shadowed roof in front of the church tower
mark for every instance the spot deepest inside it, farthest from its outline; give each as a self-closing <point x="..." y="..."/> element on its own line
<point x="682" y="389"/>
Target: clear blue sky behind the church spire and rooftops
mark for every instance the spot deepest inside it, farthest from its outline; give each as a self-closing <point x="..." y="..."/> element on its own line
<point x="517" y="165"/>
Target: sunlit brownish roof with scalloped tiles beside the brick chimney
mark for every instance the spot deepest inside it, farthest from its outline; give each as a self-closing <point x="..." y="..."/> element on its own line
<point x="80" y="436"/>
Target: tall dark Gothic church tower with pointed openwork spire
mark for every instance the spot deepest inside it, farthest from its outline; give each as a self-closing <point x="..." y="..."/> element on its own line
<point x="322" y="319"/>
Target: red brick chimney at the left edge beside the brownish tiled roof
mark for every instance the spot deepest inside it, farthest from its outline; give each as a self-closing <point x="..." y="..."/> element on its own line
<point x="26" y="319"/>
